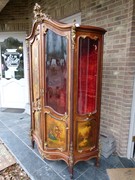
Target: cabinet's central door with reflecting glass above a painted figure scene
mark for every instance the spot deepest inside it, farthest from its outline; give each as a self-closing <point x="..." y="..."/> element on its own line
<point x="56" y="91"/>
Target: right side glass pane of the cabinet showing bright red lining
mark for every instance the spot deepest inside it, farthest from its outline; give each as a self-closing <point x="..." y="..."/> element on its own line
<point x="87" y="75"/>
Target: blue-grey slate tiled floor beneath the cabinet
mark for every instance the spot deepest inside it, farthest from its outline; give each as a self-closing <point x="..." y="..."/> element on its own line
<point x="14" y="132"/>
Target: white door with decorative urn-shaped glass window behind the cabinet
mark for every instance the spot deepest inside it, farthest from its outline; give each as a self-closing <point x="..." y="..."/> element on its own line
<point x="13" y="71"/>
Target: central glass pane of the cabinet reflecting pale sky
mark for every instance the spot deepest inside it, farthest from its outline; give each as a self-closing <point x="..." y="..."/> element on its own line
<point x="56" y="71"/>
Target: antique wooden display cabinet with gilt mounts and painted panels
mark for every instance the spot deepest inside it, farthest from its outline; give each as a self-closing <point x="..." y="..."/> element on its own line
<point x="65" y="88"/>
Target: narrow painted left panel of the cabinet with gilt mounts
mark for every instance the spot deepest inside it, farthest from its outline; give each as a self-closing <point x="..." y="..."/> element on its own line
<point x="36" y="99"/>
